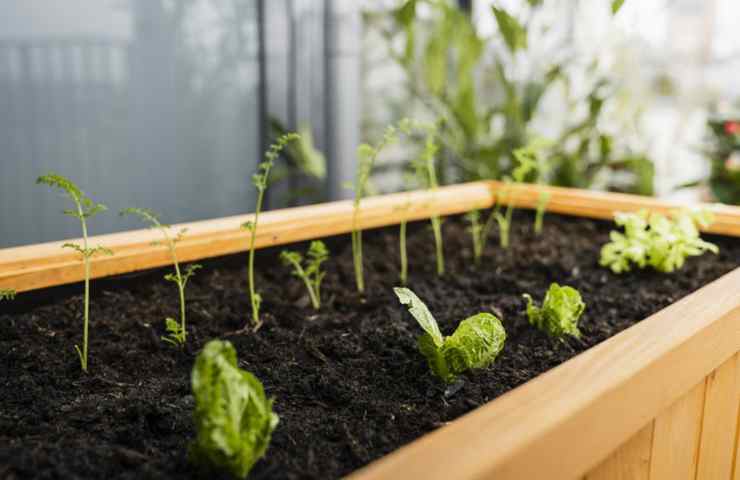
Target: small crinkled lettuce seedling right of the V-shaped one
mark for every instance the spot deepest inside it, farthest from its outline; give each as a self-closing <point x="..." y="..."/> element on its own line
<point x="558" y="316"/>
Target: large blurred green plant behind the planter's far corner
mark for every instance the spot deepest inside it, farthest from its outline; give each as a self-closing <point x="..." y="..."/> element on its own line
<point x="487" y="109"/>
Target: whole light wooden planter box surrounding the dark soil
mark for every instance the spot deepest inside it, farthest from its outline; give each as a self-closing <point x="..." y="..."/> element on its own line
<point x="659" y="400"/>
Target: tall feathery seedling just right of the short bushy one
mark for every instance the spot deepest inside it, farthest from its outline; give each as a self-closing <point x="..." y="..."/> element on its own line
<point x="367" y="155"/>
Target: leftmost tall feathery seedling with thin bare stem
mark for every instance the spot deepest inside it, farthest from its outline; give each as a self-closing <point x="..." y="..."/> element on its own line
<point x="84" y="208"/>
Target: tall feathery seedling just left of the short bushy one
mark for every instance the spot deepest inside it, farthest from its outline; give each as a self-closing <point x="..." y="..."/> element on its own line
<point x="260" y="181"/>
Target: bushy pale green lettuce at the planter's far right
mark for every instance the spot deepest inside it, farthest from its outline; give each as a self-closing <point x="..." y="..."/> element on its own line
<point x="655" y="240"/>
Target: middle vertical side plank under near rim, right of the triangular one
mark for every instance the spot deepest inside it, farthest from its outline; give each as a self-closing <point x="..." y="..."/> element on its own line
<point x="676" y="437"/>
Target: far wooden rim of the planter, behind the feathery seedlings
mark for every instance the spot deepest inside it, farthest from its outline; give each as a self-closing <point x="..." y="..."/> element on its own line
<point x="44" y="265"/>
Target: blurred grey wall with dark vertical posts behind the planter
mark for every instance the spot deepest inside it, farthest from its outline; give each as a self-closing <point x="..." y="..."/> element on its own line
<point x="165" y="104"/>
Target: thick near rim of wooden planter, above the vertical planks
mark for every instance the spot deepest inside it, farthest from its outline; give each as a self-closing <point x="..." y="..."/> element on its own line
<point x="603" y="396"/>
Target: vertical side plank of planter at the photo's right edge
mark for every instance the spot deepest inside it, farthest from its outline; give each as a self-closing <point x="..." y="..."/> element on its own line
<point x="717" y="445"/>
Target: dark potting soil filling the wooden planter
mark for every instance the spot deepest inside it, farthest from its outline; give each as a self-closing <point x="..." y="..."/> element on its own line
<point x="349" y="383"/>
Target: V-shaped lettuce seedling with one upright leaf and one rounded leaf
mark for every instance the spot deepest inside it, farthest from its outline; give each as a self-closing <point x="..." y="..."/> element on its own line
<point x="475" y="344"/>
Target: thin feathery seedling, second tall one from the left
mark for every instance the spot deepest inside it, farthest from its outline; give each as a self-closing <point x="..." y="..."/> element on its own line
<point x="177" y="332"/>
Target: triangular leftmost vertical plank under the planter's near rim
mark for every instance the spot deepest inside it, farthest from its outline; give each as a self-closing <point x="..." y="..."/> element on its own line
<point x="631" y="461"/>
